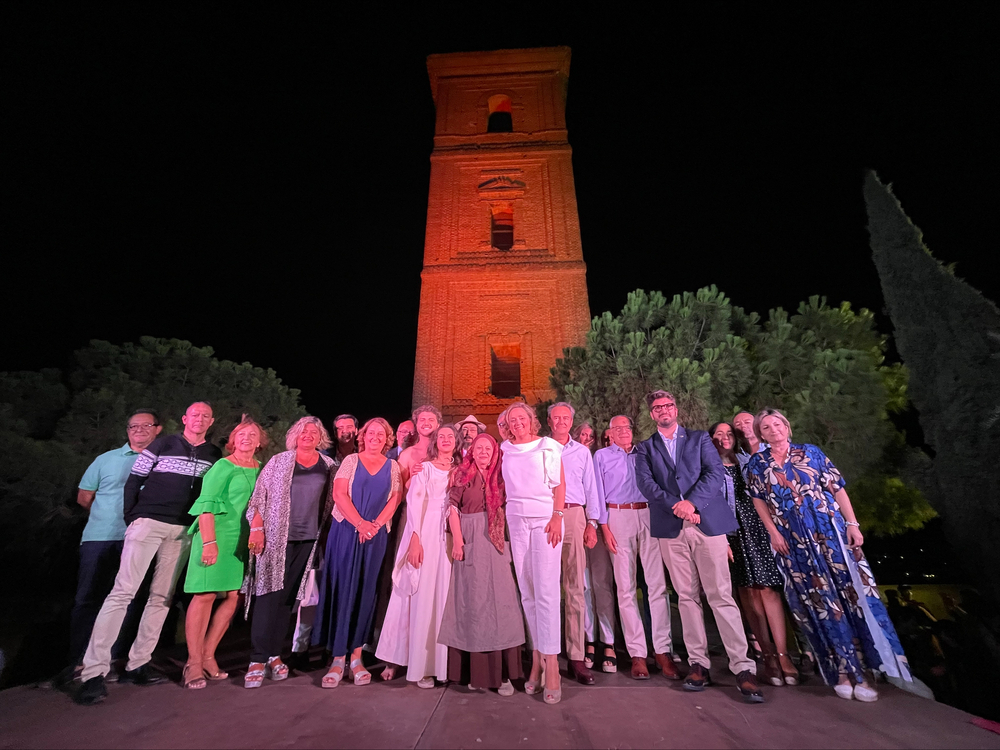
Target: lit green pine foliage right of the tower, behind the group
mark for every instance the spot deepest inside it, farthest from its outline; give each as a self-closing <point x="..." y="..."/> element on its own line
<point x="823" y="367"/>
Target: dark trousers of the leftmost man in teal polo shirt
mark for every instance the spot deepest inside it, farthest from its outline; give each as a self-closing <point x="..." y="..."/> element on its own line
<point x="99" y="563"/>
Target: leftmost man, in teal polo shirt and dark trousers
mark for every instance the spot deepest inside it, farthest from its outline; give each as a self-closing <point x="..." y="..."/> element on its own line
<point x="101" y="492"/>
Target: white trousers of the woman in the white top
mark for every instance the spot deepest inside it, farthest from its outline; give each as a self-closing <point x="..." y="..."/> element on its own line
<point x="537" y="565"/>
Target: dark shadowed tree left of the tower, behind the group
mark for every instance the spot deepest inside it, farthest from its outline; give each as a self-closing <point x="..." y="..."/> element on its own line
<point x="53" y="424"/>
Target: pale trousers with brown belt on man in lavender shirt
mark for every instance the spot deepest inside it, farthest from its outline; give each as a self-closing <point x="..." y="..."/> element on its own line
<point x="631" y="531"/>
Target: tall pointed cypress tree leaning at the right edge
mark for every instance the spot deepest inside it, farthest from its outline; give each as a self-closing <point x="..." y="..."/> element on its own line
<point x="948" y="335"/>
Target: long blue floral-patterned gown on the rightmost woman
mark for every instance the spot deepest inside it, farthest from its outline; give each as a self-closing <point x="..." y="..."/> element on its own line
<point x="833" y="598"/>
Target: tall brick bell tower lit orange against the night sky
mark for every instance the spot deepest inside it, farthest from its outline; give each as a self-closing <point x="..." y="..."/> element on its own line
<point x="503" y="288"/>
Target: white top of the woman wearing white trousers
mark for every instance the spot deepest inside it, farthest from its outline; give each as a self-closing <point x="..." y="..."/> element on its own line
<point x="530" y="472"/>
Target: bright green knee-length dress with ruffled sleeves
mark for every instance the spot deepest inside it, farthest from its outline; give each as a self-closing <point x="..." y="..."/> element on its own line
<point x="225" y="493"/>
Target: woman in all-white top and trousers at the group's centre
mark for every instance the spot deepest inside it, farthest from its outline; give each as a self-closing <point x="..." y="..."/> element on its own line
<point x="536" y="494"/>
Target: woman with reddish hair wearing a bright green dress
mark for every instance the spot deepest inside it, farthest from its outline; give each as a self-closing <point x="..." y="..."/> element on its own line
<point x="219" y="550"/>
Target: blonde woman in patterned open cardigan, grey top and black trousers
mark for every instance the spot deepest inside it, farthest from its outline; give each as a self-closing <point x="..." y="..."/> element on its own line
<point x="287" y="510"/>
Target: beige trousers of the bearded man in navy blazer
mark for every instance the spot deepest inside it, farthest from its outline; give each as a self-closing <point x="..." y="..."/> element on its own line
<point x="698" y="562"/>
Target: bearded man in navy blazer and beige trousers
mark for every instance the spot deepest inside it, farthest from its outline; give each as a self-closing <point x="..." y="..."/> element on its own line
<point x="681" y="475"/>
